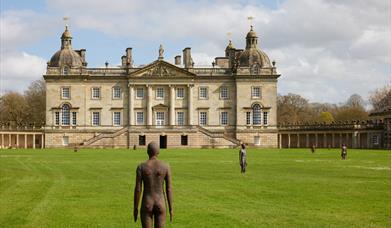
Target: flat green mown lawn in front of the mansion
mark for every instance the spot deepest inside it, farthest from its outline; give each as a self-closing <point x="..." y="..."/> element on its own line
<point x="282" y="188"/>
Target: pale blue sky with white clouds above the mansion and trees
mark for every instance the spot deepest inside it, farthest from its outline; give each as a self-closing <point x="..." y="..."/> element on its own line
<point x="325" y="50"/>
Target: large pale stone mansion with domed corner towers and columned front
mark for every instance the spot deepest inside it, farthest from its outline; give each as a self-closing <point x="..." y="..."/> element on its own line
<point x="176" y="105"/>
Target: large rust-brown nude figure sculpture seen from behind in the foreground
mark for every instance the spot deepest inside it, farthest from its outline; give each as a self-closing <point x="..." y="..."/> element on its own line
<point x="152" y="174"/>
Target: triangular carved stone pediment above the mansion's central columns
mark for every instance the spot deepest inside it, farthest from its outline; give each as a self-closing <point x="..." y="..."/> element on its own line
<point x="161" y="68"/>
